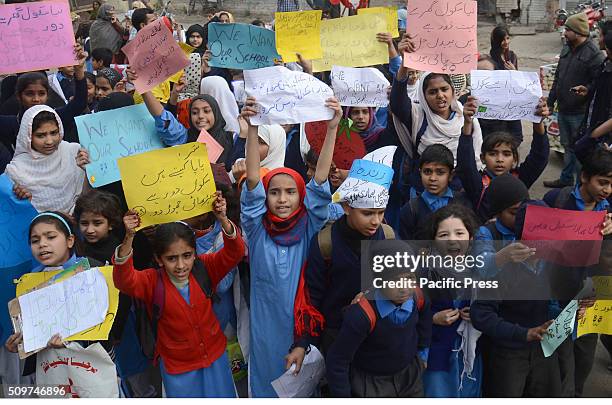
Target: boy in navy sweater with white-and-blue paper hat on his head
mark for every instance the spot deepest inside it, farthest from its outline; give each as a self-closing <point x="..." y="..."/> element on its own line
<point x="332" y="277"/>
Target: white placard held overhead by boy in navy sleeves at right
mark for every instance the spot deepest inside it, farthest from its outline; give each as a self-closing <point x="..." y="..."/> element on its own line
<point x="506" y="95"/>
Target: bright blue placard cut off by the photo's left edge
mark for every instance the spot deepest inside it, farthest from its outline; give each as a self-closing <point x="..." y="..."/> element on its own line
<point x="15" y="218"/>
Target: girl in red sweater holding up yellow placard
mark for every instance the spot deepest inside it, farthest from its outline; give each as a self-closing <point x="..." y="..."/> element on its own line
<point x="190" y="344"/>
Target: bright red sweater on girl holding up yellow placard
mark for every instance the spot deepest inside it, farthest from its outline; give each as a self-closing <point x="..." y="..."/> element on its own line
<point x="188" y="335"/>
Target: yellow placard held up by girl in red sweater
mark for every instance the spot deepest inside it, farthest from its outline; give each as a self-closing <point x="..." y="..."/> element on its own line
<point x="170" y="184"/>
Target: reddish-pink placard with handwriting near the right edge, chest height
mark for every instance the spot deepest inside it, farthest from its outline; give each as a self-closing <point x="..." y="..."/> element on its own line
<point x="567" y="238"/>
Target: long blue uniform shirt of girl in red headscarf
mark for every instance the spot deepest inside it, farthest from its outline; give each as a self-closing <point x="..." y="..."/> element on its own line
<point x="275" y="273"/>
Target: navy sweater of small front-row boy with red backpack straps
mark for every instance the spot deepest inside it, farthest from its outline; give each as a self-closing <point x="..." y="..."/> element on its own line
<point x="387" y="350"/>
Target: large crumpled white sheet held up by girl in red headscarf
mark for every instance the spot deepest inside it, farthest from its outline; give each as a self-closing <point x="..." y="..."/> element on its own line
<point x="287" y="97"/>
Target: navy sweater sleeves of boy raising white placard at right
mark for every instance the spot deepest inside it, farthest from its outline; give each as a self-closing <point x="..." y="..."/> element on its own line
<point x="528" y="171"/>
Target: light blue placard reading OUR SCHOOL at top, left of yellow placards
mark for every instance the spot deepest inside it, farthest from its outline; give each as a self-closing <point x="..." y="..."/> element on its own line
<point x="241" y="46"/>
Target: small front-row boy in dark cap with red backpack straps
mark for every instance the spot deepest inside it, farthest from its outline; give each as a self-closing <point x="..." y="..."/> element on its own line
<point x="381" y="350"/>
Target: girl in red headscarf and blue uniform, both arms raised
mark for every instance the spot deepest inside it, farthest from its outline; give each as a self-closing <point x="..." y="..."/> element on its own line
<point x="279" y="215"/>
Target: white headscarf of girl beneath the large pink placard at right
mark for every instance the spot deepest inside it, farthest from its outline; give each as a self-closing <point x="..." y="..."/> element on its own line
<point x="439" y="130"/>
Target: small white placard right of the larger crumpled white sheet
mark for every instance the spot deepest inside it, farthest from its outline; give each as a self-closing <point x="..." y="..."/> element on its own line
<point x="360" y="87"/>
